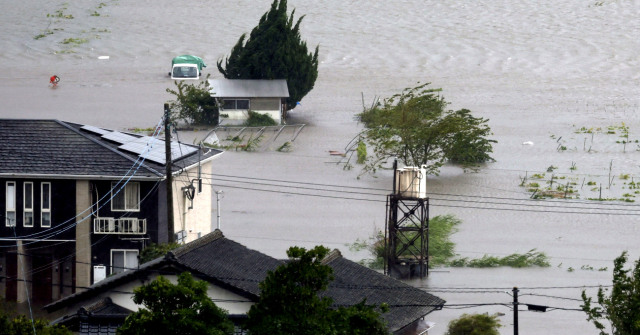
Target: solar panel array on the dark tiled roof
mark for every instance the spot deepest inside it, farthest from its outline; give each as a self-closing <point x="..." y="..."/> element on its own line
<point x="146" y="147"/>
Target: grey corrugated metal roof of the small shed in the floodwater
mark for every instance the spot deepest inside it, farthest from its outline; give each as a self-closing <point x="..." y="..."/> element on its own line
<point x="249" y="88"/>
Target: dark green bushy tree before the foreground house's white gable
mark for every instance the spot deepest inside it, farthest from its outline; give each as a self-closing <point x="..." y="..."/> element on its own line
<point x="184" y="308"/>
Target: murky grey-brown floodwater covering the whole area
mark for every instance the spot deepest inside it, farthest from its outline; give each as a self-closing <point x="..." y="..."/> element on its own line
<point x="539" y="71"/>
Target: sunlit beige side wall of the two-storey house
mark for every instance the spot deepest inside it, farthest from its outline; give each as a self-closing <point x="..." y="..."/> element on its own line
<point x="196" y="221"/>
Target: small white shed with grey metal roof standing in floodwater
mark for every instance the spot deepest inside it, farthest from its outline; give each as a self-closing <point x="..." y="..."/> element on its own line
<point x="236" y="97"/>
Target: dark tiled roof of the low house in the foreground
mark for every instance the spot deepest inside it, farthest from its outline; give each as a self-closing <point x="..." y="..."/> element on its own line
<point x="240" y="269"/>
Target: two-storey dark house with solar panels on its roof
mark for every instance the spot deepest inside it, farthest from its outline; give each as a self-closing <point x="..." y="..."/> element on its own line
<point x="78" y="203"/>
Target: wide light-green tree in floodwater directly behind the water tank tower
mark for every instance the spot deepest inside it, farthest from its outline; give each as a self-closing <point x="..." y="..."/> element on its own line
<point x="416" y="128"/>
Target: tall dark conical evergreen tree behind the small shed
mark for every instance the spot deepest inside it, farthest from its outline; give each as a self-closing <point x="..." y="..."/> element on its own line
<point x="274" y="50"/>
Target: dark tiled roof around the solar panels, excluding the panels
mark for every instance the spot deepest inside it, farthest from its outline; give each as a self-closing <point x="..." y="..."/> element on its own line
<point x="57" y="149"/>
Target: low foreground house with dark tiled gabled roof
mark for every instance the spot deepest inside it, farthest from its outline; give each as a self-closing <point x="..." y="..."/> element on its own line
<point x="234" y="273"/>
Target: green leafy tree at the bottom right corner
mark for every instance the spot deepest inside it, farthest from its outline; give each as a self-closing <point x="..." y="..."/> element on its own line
<point x="622" y="306"/>
